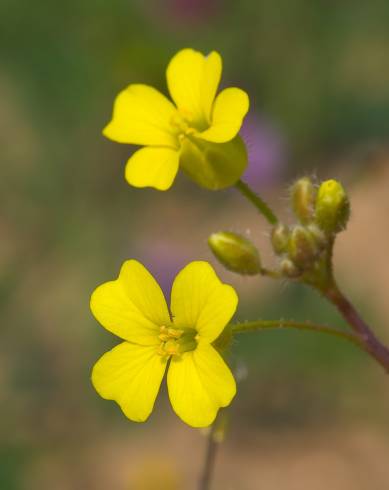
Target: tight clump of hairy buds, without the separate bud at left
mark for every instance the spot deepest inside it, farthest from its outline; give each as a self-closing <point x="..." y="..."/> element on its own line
<point x="322" y="212"/>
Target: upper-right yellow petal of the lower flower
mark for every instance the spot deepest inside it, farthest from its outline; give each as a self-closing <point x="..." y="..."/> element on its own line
<point x="200" y="300"/>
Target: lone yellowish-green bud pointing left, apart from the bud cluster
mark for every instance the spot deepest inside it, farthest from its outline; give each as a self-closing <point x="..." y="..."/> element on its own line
<point x="235" y="252"/>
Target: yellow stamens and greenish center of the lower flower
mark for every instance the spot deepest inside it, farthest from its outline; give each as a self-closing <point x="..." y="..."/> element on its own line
<point x="175" y="341"/>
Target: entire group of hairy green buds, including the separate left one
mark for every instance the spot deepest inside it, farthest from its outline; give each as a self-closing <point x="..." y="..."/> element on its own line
<point x="321" y="211"/>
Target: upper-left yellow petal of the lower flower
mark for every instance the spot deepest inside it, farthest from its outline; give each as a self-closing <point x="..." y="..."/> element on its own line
<point x="133" y="306"/>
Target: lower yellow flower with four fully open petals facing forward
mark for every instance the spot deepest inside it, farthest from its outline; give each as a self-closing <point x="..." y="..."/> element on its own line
<point x="134" y="308"/>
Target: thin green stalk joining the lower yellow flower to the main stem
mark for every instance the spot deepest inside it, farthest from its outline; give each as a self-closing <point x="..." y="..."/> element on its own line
<point x="284" y="324"/>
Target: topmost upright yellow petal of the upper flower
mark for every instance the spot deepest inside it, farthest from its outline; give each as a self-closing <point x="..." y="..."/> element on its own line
<point x="193" y="80"/>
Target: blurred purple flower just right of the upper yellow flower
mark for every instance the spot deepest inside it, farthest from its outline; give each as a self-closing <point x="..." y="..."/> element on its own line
<point x="266" y="151"/>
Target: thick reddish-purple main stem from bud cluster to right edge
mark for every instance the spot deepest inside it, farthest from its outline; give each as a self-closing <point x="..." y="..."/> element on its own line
<point x="370" y="342"/>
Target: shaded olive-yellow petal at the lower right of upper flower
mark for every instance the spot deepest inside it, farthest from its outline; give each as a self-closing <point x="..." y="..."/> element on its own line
<point x="213" y="165"/>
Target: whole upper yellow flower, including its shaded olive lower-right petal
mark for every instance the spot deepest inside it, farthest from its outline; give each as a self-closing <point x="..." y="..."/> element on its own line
<point x="198" y="133"/>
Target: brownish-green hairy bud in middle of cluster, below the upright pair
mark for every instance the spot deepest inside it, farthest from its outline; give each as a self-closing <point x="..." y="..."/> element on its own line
<point x="302" y="247"/>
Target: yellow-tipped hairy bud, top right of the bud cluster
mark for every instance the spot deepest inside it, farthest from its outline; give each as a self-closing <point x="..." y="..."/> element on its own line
<point x="332" y="207"/>
